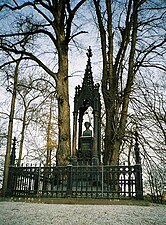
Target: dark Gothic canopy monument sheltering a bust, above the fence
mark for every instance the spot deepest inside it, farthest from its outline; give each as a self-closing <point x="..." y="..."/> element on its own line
<point x="86" y="147"/>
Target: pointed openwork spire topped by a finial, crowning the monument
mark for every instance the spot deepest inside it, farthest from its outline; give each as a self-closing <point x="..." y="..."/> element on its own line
<point x="88" y="79"/>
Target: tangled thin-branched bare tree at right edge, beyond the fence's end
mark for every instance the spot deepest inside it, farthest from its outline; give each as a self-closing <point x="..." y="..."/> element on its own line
<point x="149" y="106"/>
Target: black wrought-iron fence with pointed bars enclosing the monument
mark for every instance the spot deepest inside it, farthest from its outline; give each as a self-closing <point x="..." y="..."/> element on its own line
<point x="76" y="181"/>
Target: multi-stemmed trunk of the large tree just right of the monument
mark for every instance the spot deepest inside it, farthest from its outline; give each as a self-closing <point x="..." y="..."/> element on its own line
<point x="116" y="97"/>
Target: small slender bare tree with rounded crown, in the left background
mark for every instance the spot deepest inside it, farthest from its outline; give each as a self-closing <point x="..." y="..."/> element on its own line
<point x="30" y="91"/>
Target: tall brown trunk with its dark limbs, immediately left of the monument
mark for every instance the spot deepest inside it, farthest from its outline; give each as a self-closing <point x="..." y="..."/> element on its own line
<point x="56" y="20"/>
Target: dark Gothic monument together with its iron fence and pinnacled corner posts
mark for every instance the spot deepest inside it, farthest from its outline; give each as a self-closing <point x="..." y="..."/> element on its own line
<point x="86" y="177"/>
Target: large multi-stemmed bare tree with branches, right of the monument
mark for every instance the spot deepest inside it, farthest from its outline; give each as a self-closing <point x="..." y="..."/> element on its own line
<point x="132" y="36"/>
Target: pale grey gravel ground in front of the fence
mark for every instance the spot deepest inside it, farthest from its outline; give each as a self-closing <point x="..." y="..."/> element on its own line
<point x="23" y="213"/>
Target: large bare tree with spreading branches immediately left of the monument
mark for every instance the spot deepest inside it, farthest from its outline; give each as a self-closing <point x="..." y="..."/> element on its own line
<point x="54" y="26"/>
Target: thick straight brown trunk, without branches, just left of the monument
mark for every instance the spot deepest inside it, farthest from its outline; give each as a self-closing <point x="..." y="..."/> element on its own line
<point x="64" y="143"/>
